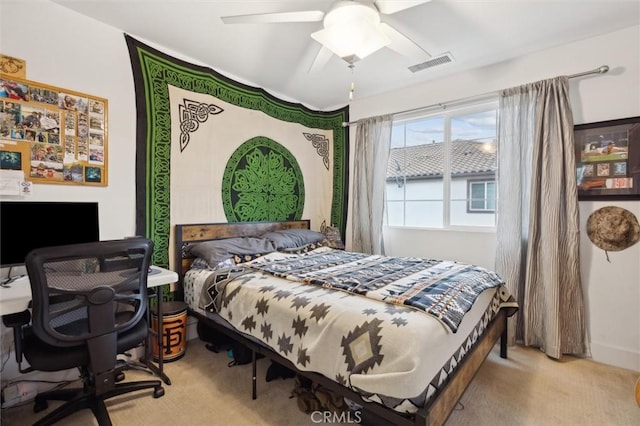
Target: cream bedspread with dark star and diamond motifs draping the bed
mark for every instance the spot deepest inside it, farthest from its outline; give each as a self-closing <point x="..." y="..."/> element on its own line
<point x="392" y="354"/>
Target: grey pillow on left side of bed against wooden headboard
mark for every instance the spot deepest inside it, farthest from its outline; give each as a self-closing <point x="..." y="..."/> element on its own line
<point x="216" y="251"/>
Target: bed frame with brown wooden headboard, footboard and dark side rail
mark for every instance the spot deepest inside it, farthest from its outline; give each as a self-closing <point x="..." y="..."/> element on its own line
<point x="438" y="409"/>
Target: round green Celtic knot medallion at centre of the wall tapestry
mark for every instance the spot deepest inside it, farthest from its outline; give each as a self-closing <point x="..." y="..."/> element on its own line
<point x="262" y="182"/>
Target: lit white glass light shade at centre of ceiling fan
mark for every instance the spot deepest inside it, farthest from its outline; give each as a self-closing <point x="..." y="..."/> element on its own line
<point x="352" y="28"/>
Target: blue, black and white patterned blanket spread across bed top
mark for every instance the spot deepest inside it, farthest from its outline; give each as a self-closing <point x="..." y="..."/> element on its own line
<point x="443" y="289"/>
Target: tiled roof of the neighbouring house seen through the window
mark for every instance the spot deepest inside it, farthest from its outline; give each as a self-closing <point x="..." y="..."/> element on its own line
<point x="467" y="157"/>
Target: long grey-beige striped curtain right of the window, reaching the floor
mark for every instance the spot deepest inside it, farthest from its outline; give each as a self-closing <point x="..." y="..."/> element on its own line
<point x="538" y="237"/>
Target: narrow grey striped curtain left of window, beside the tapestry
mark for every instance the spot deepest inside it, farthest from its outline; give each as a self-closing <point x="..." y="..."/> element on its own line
<point x="373" y="139"/>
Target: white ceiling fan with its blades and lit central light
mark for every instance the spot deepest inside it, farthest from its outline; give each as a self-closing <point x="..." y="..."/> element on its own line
<point x="352" y="29"/>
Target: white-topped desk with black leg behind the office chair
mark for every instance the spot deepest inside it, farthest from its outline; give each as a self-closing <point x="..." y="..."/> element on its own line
<point x="15" y="297"/>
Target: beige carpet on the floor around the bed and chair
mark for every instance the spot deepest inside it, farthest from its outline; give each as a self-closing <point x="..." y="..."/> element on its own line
<point x="526" y="389"/>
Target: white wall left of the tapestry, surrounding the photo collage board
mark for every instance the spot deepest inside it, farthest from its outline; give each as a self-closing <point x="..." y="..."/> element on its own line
<point x="68" y="50"/>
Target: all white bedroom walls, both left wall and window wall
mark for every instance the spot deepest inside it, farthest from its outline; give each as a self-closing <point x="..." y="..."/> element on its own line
<point x="68" y="50"/>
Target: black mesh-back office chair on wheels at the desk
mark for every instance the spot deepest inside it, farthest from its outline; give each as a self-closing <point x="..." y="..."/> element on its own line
<point x="89" y="304"/>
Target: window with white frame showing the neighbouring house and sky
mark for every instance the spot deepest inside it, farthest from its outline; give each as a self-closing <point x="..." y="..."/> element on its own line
<point x="442" y="169"/>
